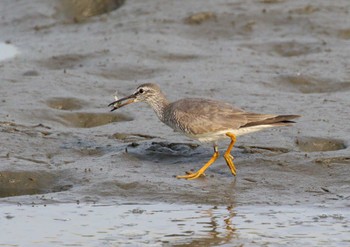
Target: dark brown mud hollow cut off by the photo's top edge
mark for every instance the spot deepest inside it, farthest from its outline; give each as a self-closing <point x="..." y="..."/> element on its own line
<point x="79" y="10"/>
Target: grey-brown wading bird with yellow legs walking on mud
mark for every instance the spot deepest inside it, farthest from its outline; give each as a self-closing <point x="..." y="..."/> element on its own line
<point x="204" y="120"/>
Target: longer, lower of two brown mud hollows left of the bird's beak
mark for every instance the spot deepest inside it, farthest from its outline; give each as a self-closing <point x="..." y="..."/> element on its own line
<point x="90" y="120"/>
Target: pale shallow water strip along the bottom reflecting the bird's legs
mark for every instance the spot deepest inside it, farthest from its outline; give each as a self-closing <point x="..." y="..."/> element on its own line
<point x="163" y="224"/>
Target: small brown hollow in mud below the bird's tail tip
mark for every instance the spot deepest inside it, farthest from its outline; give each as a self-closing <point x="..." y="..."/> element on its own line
<point x="318" y="144"/>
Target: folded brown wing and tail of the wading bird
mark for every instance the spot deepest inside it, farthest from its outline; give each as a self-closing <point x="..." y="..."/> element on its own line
<point x="199" y="116"/>
